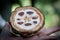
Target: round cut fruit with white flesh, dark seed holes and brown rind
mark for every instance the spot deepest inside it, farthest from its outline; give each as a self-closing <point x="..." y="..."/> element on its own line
<point x="27" y="24"/>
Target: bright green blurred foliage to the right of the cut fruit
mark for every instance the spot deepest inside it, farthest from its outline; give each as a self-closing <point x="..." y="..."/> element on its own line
<point x="51" y="18"/>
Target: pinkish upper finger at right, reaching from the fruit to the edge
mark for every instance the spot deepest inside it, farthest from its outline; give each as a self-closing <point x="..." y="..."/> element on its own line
<point x="49" y="31"/>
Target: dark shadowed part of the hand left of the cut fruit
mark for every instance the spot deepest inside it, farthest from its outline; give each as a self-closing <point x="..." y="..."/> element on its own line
<point x="5" y="32"/>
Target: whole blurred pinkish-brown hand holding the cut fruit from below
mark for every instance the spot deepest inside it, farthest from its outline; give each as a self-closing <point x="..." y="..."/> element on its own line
<point x="43" y="34"/>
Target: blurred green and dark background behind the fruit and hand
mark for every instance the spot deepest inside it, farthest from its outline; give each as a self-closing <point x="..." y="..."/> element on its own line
<point x="50" y="9"/>
